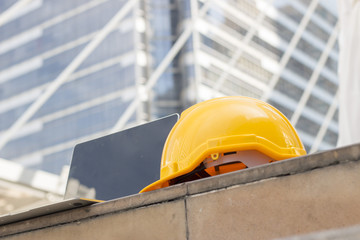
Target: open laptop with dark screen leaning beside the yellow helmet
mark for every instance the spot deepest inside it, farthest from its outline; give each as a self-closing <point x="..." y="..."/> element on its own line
<point x="109" y="167"/>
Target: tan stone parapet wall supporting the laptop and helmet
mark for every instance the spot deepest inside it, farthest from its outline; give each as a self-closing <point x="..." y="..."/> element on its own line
<point x="292" y="197"/>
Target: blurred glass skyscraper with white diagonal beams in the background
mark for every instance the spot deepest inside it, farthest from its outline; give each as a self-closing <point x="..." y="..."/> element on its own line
<point x="71" y="71"/>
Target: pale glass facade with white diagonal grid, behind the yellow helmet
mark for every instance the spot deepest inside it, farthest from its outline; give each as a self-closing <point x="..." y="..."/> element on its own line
<point x="283" y="52"/>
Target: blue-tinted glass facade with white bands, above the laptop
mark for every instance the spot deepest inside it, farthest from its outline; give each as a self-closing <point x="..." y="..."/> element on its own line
<point x="35" y="49"/>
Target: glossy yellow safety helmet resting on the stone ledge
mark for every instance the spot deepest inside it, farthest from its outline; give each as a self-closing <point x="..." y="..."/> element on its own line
<point x="223" y="135"/>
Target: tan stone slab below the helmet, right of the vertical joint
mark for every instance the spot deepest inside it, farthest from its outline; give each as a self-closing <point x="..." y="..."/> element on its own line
<point x="319" y="199"/>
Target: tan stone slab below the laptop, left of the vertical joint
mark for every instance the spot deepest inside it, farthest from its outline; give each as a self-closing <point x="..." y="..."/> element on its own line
<point x="157" y="221"/>
